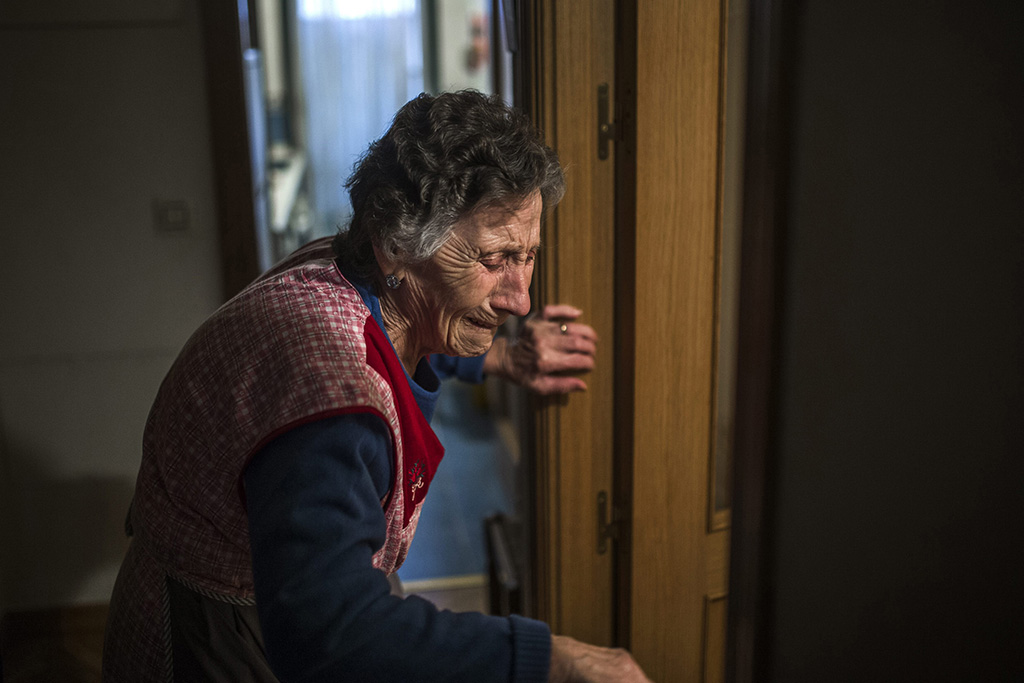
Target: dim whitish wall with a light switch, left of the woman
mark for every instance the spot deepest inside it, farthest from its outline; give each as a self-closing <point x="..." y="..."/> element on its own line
<point x="104" y="111"/>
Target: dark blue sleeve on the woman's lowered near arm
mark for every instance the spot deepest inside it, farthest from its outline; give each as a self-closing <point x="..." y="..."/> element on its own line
<point x="316" y="521"/>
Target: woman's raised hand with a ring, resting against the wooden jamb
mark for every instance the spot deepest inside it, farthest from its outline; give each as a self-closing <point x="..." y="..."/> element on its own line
<point x="548" y="349"/>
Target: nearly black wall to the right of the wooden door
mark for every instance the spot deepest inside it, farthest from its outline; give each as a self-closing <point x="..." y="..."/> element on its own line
<point x="901" y="474"/>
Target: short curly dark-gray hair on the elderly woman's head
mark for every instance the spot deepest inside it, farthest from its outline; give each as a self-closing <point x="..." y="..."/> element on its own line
<point x="444" y="158"/>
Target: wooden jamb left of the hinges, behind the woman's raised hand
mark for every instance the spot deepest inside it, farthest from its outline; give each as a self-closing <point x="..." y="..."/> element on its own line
<point x="568" y="50"/>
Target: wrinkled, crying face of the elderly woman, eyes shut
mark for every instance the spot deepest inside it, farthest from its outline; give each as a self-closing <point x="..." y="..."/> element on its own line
<point x="478" y="279"/>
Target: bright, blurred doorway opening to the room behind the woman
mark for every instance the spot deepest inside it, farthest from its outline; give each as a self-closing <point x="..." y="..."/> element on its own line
<point x="330" y="75"/>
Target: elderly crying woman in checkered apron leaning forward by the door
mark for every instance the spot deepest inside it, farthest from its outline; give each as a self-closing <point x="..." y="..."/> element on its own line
<point x="289" y="450"/>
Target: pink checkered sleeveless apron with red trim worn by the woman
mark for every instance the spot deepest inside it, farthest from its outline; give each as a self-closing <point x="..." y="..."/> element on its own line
<point x="296" y="346"/>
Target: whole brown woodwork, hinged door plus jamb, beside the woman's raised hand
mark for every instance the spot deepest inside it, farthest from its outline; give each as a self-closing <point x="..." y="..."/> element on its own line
<point x="638" y="244"/>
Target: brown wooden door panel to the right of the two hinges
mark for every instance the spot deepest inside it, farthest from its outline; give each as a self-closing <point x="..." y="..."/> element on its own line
<point x="678" y="562"/>
